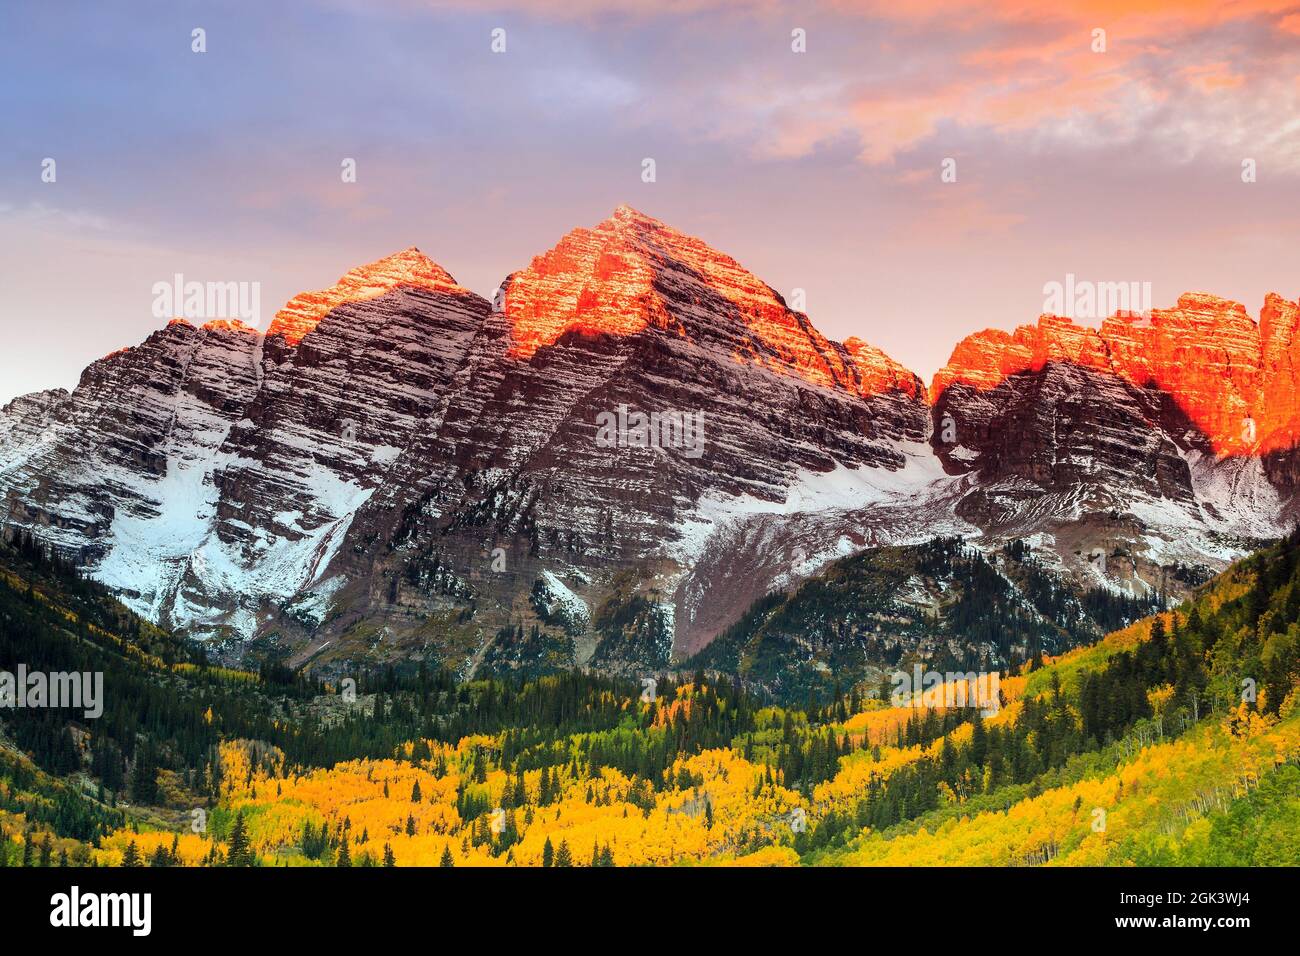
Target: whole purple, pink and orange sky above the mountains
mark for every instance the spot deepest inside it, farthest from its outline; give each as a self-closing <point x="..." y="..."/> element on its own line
<point x="1115" y="157"/>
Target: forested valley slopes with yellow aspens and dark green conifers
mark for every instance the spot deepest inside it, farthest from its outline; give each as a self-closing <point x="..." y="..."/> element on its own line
<point x="1136" y="750"/>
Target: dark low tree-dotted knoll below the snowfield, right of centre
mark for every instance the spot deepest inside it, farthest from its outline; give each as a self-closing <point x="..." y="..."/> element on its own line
<point x="941" y="603"/>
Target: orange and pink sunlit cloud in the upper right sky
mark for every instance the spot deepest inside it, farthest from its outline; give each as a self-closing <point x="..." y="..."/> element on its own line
<point x="1020" y="66"/>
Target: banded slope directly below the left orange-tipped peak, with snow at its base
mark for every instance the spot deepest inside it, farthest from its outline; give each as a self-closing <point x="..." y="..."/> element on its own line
<point x="332" y="416"/>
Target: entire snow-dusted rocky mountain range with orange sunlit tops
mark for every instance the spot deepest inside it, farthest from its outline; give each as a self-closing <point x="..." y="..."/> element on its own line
<point x="614" y="458"/>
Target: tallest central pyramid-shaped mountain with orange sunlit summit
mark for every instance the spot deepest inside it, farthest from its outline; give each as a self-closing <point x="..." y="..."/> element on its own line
<point x="627" y="319"/>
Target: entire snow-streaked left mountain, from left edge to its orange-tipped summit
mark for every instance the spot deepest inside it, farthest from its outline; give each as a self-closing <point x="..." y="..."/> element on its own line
<point x="210" y="474"/>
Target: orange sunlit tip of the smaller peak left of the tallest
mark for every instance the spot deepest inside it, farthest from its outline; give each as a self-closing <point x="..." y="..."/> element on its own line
<point x="409" y="269"/>
